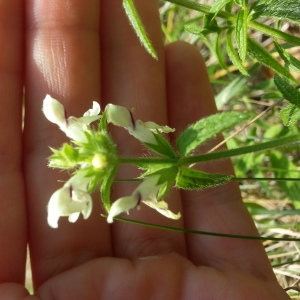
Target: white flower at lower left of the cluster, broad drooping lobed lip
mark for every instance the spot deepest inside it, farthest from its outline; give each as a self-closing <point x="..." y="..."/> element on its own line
<point x="71" y="200"/>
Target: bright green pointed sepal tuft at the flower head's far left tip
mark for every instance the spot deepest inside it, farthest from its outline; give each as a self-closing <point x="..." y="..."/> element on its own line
<point x="66" y="157"/>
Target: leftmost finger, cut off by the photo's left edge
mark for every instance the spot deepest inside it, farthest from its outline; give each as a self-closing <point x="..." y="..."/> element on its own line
<point x="13" y="237"/>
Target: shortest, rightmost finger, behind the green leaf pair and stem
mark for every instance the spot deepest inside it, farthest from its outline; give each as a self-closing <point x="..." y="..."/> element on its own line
<point x="214" y="210"/>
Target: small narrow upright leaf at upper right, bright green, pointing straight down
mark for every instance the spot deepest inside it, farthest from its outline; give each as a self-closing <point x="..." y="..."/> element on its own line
<point x="241" y="33"/>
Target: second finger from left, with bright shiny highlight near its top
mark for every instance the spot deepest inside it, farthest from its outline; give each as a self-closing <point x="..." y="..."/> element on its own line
<point x="63" y="60"/>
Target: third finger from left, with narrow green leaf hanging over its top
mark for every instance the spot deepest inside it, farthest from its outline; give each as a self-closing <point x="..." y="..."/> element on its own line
<point x="132" y="78"/>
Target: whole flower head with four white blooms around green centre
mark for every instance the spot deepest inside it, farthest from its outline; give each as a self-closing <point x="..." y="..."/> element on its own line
<point x="94" y="155"/>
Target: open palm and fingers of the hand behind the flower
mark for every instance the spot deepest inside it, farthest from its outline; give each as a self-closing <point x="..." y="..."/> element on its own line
<point x="80" y="51"/>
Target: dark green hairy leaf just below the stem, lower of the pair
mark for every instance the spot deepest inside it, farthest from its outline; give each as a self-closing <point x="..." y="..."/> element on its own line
<point x="191" y="179"/>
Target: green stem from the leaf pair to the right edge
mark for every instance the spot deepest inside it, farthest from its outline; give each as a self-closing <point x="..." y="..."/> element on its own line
<point x="239" y="151"/>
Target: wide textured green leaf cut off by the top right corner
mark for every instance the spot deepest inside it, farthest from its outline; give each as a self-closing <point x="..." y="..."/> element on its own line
<point x="283" y="9"/>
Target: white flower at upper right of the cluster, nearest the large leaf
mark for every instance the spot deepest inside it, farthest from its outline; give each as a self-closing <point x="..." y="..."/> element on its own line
<point x="143" y="131"/>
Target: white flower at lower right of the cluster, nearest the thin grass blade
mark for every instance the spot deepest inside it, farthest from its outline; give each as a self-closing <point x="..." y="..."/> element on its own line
<point x="146" y="192"/>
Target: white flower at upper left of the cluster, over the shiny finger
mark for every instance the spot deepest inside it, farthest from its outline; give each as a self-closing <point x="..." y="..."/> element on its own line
<point x="73" y="127"/>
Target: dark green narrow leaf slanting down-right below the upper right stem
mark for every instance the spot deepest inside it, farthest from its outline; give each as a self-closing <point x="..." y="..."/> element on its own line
<point x="264" y="57"/>
